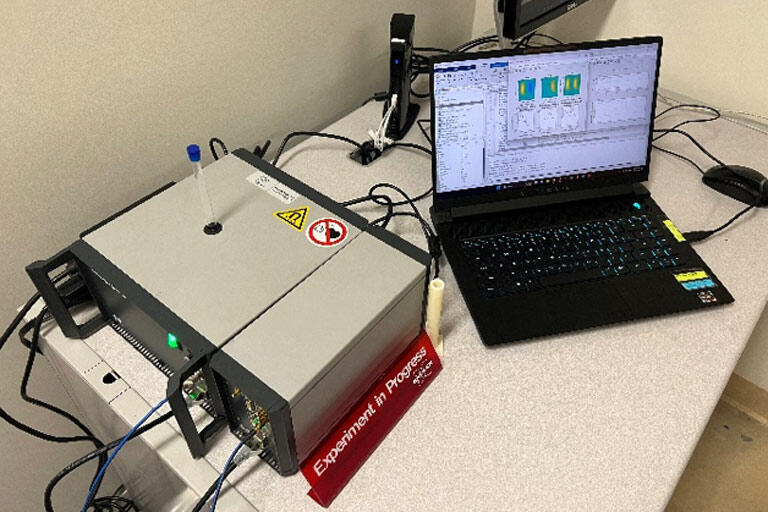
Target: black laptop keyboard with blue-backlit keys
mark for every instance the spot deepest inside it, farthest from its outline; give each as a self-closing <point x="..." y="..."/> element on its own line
<point x="524" y="261"/>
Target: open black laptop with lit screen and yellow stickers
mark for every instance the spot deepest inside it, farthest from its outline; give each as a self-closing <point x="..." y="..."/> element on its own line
<point x="539" y="161"/>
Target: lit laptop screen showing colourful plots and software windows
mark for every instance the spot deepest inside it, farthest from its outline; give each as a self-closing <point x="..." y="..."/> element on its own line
<point x="572" y="115"/>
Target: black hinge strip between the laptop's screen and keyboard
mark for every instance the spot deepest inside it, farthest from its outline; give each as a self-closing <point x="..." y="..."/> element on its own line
<point x="634" y="189"/>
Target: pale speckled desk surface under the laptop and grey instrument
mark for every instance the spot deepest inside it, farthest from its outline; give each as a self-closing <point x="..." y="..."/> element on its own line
<point x="603" y="419"/>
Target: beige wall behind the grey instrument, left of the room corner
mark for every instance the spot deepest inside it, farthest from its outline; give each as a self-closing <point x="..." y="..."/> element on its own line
<point x="98" y="101"/>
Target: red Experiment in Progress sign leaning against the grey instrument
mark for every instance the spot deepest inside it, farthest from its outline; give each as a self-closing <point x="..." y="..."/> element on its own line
<point x="357" y="435"/>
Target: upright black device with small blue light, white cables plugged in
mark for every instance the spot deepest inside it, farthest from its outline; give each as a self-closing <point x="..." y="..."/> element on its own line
<point x="403" y="116"/>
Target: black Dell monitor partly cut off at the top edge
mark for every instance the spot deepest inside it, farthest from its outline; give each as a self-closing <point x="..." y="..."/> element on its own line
<point x="516" y="18"/>
